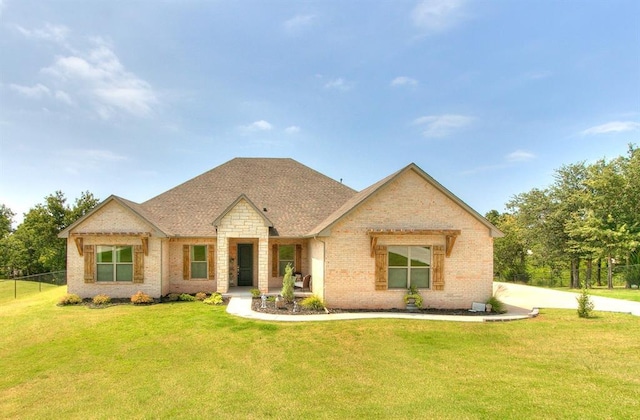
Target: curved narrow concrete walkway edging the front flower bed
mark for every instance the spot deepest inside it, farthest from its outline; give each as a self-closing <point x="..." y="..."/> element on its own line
<point x="240" y="305"/>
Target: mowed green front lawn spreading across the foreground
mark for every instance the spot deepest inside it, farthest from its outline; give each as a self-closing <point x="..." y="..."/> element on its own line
<point x="190" y="360"/>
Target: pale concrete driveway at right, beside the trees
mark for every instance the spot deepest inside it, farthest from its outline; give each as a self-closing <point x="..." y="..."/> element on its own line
<point x="529" y="297"/>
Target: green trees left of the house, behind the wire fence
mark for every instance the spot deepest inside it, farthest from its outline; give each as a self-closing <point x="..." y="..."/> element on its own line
<point x="34" y="247"/>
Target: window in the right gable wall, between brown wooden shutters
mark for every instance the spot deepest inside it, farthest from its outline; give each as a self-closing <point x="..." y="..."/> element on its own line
<point x="409" y="266"/>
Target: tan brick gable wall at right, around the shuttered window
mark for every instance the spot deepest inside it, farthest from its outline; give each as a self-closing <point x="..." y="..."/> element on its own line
<point x="409" y="202"/>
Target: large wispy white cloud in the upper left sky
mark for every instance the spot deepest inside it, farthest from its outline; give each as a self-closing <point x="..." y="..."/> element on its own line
<point x="101" y="79"/>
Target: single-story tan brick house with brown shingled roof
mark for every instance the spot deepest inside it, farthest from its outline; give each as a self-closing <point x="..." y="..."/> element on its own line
<point x="242" y="222"/>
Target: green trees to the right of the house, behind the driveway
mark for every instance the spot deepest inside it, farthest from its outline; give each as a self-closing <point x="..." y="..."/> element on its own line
<point x="589" y="215"/>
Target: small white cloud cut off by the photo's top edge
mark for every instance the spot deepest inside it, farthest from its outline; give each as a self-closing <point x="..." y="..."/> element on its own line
<point x="437" y="15"/>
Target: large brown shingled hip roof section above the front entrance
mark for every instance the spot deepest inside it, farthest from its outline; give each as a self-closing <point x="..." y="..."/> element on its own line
<point x="294" y="197"/>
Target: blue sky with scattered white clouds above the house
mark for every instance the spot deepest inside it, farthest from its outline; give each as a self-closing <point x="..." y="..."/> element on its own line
<point x="488" y="97"/>
